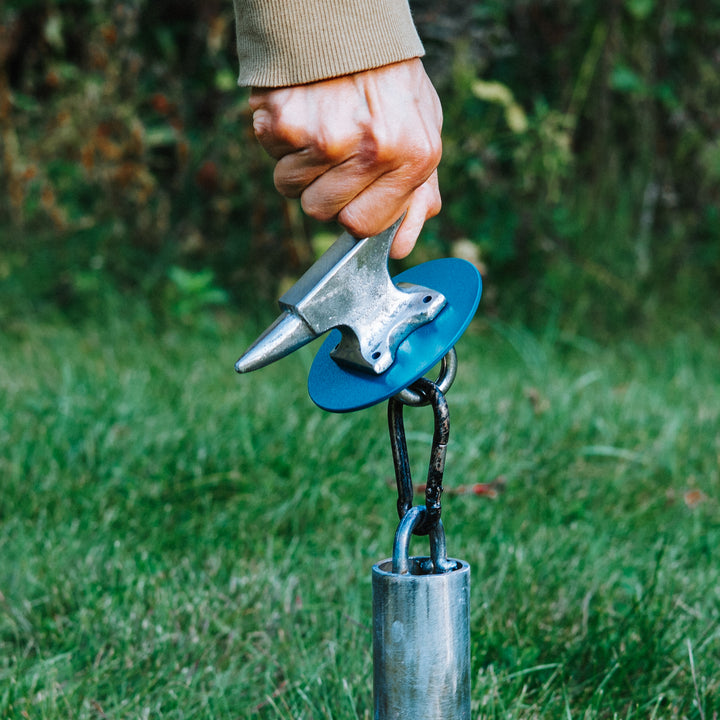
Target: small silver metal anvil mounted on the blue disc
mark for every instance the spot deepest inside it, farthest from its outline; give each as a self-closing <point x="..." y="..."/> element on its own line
<point x="348" y="288"/>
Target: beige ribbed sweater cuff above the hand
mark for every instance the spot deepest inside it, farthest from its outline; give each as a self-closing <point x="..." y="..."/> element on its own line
<point x="292" y="42"/>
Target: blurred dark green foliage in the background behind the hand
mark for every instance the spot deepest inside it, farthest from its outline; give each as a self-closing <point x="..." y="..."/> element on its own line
<point x="581" y="167"/>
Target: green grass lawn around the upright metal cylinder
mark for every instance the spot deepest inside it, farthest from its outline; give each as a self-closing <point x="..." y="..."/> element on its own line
<point x="179" y="542"/>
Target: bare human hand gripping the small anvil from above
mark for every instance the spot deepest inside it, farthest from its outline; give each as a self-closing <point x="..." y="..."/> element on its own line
<point x="362" y="148"/>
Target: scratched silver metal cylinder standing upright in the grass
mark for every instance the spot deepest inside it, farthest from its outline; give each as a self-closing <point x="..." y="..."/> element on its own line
<point x="421" y="642"/>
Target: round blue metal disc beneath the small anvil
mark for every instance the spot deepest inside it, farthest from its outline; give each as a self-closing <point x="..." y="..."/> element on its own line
<point x="340" y="389"/>
